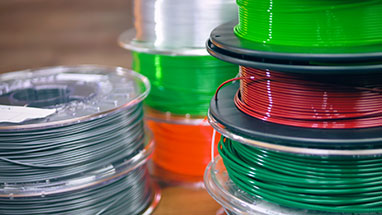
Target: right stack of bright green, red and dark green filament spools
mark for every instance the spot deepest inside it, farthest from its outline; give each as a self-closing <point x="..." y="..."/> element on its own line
<point x="302" y="131"/>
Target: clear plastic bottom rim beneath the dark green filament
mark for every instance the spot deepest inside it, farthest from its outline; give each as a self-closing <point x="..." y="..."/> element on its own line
<point x="237" y="202"/>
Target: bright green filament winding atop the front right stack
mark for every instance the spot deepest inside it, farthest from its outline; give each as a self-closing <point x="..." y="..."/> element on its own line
<point x="311" y="23"/>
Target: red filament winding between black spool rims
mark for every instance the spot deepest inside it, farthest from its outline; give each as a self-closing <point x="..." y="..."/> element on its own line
<point x="311" y="100"/>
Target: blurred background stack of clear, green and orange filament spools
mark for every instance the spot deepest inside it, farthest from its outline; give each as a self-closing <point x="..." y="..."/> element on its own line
<point x="168" y="46"/>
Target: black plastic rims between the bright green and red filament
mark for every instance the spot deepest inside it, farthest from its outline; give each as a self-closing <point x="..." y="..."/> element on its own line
<point x="225" y="45"/>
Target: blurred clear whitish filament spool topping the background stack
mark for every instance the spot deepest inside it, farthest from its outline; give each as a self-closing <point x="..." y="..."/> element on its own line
<point x="184" y="32"/>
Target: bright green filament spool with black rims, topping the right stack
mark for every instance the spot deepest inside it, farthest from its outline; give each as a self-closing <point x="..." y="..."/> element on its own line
<point x="266" y="50"/>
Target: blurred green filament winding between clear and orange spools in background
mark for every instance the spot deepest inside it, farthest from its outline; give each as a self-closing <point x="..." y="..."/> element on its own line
<point x="182" y="84"/>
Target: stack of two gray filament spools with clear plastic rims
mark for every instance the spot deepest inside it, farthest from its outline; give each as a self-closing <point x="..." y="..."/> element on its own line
<point x="72" y="141"/>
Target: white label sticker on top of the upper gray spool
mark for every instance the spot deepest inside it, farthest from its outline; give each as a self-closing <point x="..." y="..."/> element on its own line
<point x="18" y="114"/>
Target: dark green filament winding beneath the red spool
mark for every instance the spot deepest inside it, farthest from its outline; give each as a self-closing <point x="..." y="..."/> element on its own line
<point x="331" y="184"/>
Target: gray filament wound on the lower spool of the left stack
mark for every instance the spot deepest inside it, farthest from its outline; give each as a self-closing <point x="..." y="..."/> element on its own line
<point x="126" y="195"/>
